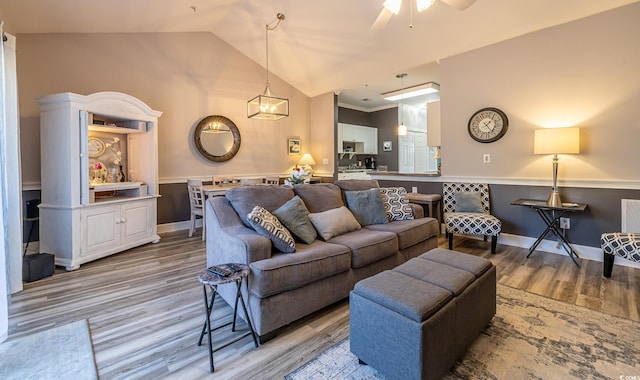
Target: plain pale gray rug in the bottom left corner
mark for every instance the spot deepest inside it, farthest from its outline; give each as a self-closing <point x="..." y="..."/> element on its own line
<point x="63" y="352"/>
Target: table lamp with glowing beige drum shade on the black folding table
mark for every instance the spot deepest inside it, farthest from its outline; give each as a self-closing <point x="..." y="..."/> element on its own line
<point x="556" y="141"/>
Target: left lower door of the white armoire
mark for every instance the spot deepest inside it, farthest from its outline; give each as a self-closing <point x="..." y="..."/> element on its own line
<point x="100" y="229"/>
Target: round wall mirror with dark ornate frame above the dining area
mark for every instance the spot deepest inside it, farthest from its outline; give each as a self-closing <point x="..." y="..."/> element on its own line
<point x="217" y="138"/>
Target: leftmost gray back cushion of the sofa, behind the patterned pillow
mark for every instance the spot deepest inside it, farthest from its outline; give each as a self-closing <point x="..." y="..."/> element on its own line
<point x="244" y="198"/>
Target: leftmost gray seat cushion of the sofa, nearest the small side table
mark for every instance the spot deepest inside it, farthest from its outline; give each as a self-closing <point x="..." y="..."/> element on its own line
<point x="312" y="262"/>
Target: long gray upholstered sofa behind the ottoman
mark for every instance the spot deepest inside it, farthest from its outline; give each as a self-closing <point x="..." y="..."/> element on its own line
<point x="284" y="287"/>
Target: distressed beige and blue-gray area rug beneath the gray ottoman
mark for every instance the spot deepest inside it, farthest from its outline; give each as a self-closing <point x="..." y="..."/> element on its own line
<point x="530" y="337"/>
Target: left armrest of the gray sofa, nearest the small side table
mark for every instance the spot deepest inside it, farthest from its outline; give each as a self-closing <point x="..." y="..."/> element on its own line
<point x="230" y="241"/>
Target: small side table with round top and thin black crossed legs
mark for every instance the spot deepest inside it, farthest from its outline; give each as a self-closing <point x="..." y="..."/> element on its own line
<point x="212" y="280"/>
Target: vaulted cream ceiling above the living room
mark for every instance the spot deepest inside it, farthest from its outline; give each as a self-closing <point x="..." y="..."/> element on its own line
<point x="323" y="45"/>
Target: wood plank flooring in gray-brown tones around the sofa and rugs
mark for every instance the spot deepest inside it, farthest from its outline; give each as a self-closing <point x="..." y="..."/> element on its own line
<point x="145" y="310"/>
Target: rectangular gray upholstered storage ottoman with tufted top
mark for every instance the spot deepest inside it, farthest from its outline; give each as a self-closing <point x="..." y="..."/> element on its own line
<point x="415" y="321"/>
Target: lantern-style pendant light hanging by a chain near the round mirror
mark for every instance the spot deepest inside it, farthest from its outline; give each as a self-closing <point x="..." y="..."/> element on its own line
<point x="265" y="106"/>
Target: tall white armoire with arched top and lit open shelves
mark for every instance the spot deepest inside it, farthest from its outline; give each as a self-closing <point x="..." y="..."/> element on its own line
<point x="87" y="213"/>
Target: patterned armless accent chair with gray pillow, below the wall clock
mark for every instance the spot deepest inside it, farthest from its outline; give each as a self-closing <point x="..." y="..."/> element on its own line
<point x="467" y="211"/>
